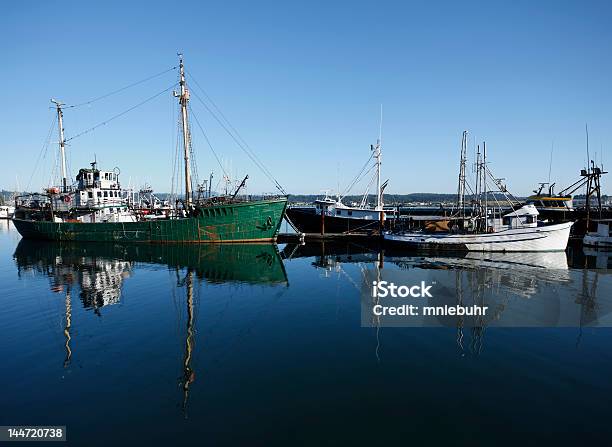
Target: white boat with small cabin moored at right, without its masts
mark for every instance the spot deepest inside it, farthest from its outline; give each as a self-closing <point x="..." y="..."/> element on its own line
<point x="516" y="231"/>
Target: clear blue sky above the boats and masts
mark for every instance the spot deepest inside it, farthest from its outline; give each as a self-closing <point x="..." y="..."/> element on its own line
<point x="302" y="82"/>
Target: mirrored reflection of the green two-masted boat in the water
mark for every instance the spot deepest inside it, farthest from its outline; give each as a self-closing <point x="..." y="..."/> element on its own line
<point x="98" y="272"/>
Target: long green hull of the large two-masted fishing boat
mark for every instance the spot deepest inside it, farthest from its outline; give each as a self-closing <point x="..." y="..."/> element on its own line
<point x="256" y="221"/>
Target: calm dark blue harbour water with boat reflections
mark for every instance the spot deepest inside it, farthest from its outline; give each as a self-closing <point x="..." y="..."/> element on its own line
<point x="261" y="345"/>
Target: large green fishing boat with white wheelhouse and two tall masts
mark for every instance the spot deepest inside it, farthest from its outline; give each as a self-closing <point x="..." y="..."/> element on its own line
<point x="96" y="210"/>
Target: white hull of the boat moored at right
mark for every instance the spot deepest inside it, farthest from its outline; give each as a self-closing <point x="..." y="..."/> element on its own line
<point x="546" y="238"/>
